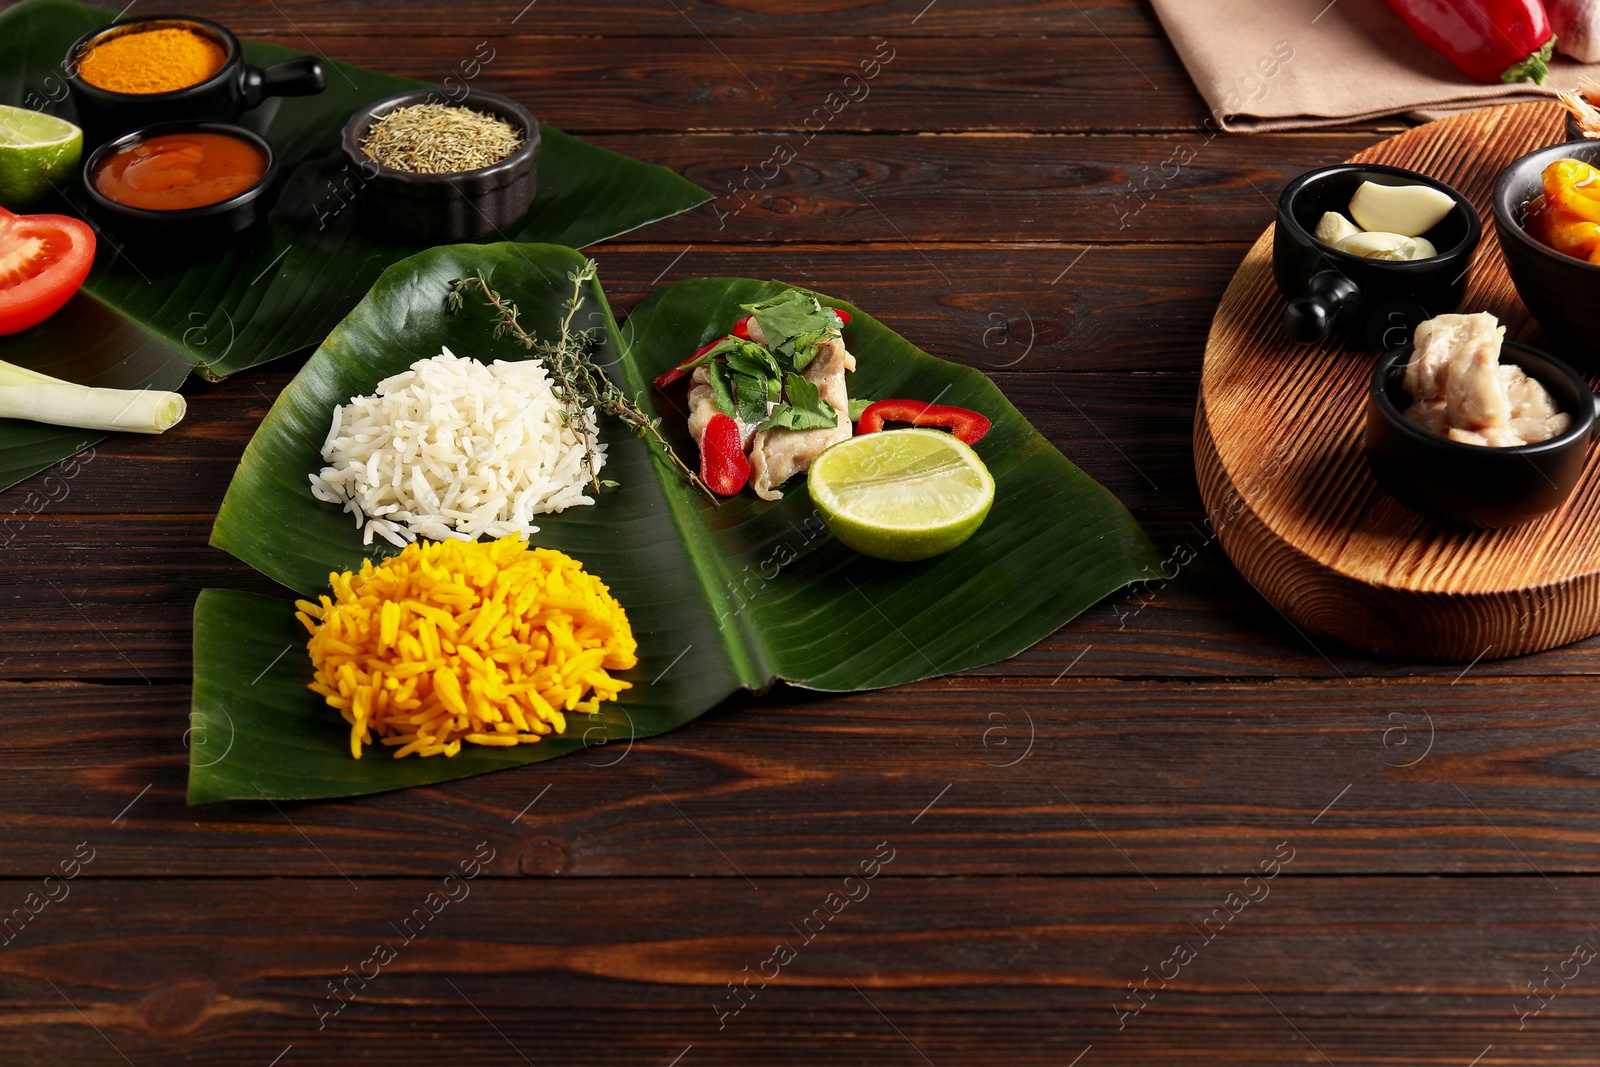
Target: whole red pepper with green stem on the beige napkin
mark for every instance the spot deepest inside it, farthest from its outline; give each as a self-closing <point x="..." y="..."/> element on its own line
<point x="1489" y="41"/>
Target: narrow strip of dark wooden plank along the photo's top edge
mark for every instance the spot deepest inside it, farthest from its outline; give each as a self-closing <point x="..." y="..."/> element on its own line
<point x="692" y="18"/>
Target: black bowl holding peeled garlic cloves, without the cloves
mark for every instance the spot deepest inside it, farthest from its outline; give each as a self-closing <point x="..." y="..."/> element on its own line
<point x="1380" y="302"/>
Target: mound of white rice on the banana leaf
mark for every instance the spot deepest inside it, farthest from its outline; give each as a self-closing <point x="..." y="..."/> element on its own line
<point x="455" y="449"/>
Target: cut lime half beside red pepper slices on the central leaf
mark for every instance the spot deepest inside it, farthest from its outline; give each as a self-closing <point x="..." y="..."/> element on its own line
<point x="902" y="495"/>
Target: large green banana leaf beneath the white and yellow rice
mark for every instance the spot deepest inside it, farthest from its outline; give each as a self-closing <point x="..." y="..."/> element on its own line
<point x="721" y="597"/>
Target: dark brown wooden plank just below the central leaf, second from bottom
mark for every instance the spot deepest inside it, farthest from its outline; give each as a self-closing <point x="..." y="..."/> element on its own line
<point x="1074" y="777"/>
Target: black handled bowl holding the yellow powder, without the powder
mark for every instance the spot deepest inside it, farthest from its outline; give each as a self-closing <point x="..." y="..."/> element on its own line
<point x="225" y="97"/>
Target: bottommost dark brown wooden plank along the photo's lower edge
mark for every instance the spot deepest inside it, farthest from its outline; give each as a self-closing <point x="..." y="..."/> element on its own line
<point x="945" y="972"/>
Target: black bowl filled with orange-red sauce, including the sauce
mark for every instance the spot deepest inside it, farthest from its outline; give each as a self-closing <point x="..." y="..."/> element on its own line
<point x="188" y="183"/>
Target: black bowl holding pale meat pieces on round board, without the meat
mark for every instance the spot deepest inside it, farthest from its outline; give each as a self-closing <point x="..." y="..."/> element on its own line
<point x="1478" y="486"/>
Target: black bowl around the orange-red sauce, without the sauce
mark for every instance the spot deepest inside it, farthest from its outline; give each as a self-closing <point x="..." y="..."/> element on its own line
<point x="174" y="234"/>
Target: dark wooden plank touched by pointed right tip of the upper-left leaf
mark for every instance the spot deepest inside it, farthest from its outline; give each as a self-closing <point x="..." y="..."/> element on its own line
<point x="1178" y="188"/>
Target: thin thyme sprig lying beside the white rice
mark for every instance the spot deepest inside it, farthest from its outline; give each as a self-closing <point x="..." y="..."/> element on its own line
<point x="577" y="382"/>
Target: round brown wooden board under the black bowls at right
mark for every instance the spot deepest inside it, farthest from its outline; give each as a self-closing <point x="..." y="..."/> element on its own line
<point x="1279" y="454"/>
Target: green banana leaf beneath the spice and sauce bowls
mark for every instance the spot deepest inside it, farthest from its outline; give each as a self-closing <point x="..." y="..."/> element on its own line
<point x="286" y="286"/>
